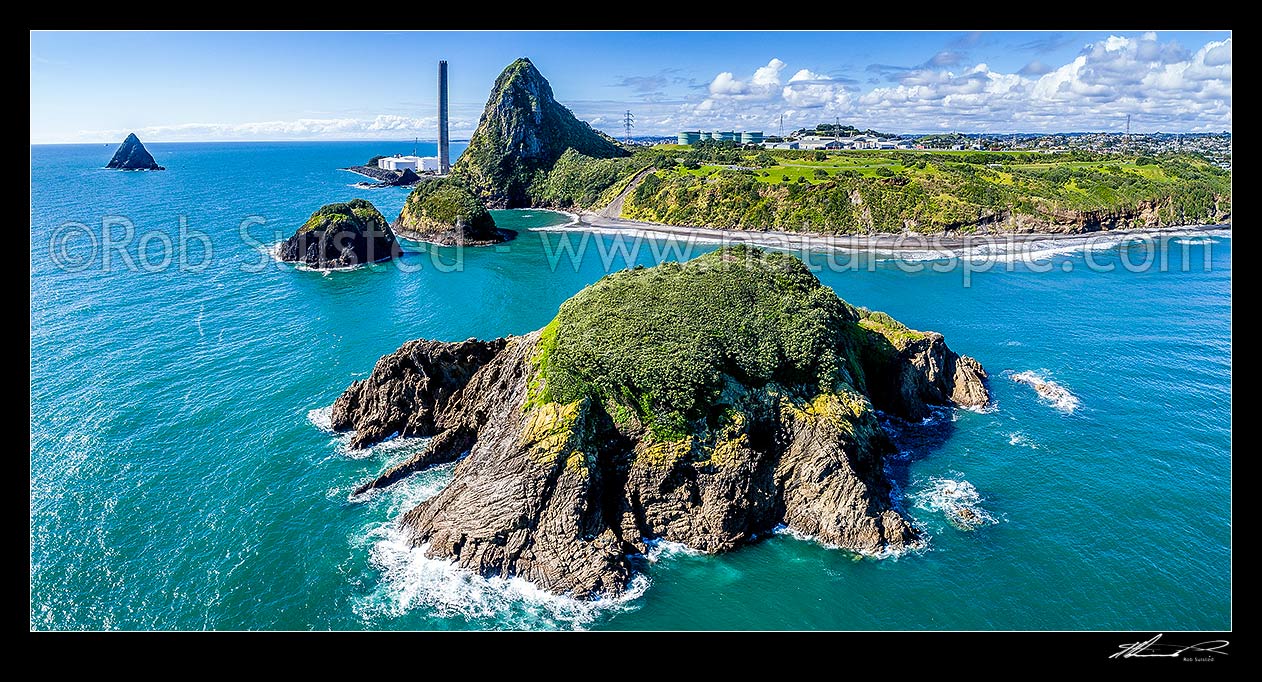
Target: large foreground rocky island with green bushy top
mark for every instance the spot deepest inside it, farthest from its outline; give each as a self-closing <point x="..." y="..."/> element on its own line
<point x="702" y="404"/>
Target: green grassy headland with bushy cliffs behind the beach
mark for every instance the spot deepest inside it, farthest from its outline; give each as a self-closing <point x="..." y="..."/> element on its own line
<point x="894" y="191"/>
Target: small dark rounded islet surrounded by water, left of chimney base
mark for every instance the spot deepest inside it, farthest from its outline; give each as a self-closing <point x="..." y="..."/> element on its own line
<point x="341" y="236"/>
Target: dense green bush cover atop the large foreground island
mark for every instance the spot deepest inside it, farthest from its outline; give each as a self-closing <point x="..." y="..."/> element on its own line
<point x="662" y="345"/>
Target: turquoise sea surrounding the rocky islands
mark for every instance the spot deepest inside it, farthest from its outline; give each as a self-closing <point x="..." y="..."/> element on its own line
<point x="181" y="481"/>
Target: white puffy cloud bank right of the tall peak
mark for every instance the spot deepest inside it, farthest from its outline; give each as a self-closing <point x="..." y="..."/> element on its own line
<point x="1159" y="84"/>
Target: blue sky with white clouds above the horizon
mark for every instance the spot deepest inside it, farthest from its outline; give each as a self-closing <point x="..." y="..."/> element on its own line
<point x="97" y="87"/>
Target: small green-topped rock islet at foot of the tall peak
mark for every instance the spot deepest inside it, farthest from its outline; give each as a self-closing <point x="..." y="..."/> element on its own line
<point x="445" y="212"/>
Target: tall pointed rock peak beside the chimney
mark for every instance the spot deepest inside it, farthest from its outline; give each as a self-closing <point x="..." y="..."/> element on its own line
<point x="522" y="135"/>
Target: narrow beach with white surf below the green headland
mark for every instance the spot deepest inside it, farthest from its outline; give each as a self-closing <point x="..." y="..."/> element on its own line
<point x="589" y="222"/>
